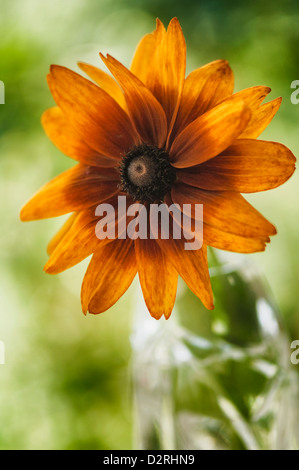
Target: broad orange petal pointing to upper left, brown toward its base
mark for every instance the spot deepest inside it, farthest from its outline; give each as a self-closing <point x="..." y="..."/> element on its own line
<point x="92" y="112"/>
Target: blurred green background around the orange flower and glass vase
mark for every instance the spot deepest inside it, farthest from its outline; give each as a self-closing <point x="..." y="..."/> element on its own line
<point x="66" y="381"/>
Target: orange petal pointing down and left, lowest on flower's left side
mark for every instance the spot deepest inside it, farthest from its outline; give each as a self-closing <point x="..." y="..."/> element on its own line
<point x="108" y="276"/>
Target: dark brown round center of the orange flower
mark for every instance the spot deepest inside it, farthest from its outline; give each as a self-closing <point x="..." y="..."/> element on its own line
<point x="146" y="173"/>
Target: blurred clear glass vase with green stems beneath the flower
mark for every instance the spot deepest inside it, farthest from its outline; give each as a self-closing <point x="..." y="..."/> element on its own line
<point x="218" y="379"/>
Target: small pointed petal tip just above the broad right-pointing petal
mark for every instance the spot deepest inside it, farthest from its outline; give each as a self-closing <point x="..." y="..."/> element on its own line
<point x="260" y="119"/>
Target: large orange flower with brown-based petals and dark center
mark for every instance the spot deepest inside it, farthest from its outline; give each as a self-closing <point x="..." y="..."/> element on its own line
<point x="153" y="135"/>
